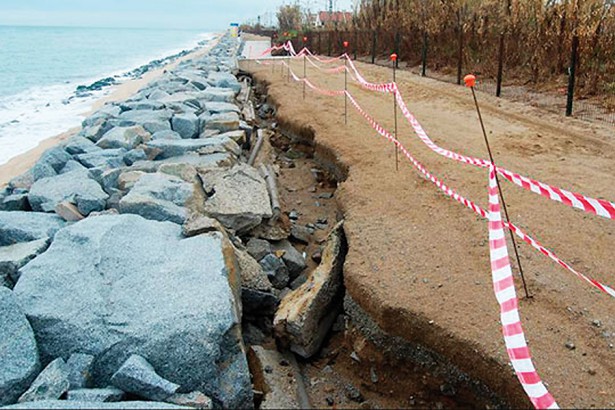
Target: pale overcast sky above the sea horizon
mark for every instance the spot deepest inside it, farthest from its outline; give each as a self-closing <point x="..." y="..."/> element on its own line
<point x="188" y="14"/>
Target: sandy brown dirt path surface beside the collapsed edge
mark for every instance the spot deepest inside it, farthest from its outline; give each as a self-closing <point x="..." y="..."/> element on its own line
<point x="418" y="262"/>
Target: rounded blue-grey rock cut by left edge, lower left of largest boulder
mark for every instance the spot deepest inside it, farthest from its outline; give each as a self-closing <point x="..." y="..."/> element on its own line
<point x="19" y="362"/>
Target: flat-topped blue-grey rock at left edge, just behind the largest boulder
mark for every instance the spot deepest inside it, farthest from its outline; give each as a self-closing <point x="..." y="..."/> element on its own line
<point x="16" y="227"/>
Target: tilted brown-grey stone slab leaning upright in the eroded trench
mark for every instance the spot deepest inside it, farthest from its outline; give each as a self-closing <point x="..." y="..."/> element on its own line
<point x="306" y="314"/>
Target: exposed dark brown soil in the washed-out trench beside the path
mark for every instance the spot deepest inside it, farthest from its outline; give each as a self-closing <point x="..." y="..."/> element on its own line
<point x="359" y="363"/>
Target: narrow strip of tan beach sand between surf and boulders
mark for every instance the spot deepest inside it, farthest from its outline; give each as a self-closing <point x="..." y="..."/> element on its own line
<point x="22" y="162"/>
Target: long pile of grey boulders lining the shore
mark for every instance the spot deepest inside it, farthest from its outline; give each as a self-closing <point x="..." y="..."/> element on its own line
<point x="128" y="252"/>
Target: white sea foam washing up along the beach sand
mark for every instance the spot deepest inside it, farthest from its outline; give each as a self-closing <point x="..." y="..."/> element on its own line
<point x="39" y="113"/>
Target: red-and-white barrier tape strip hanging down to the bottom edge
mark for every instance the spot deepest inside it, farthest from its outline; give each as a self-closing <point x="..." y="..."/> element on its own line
<point x="504" y="288"/>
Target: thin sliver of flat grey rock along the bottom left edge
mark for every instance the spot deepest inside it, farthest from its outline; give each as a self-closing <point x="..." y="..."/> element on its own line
<point x="88" y="405"/>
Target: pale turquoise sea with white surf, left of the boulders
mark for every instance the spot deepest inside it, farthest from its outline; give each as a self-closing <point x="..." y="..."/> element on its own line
<point x="51" y="76"/>
